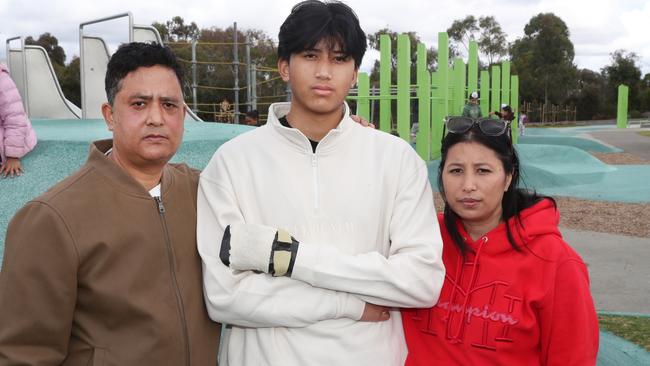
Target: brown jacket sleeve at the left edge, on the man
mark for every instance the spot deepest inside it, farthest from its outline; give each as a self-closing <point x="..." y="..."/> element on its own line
<point x="38" y="288"/>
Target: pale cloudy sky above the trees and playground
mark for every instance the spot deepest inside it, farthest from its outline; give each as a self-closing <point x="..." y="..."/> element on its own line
<point x="597" y="27"/>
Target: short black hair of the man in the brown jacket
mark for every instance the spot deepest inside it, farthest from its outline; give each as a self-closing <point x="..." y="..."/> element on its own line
<point x="131" y="56"/>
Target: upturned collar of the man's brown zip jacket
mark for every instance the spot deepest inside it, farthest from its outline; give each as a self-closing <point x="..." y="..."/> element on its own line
<point x="120" y="179"/>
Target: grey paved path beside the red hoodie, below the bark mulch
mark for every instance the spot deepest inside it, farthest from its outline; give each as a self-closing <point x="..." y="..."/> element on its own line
<point x="618" y="269"/>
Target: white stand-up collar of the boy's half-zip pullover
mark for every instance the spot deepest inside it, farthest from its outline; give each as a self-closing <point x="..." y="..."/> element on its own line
<point x="297" y="139"/>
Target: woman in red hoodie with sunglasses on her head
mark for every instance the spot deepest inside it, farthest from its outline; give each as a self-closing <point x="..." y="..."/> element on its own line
<point x="515" y="293"/>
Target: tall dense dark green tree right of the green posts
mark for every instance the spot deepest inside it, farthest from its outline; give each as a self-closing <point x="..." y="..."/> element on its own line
<point x="543" y="59"/>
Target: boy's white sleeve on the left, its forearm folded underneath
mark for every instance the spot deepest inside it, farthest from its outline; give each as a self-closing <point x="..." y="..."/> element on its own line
<point x="249" y="299"/>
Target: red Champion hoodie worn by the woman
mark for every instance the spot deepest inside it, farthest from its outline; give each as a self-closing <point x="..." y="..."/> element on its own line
<point x="507" y="307"/>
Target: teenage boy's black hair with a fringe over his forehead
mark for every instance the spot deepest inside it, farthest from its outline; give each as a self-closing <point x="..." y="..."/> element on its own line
<point x="312" y="21"/>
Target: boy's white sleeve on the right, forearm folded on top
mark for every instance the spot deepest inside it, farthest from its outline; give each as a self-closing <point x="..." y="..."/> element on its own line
<point x="411" y="275"/>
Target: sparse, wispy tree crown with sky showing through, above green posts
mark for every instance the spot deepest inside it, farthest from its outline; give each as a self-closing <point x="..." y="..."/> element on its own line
<point x="486" y="31"/>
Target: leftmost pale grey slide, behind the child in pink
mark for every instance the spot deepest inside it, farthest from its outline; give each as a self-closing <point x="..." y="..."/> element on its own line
<point x="44" y="95"/>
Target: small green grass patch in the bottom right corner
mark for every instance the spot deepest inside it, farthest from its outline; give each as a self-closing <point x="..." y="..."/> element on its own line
<point x="635" y="329"/>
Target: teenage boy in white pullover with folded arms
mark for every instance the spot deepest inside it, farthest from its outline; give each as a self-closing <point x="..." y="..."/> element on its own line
<point x="361" y="235"/>
